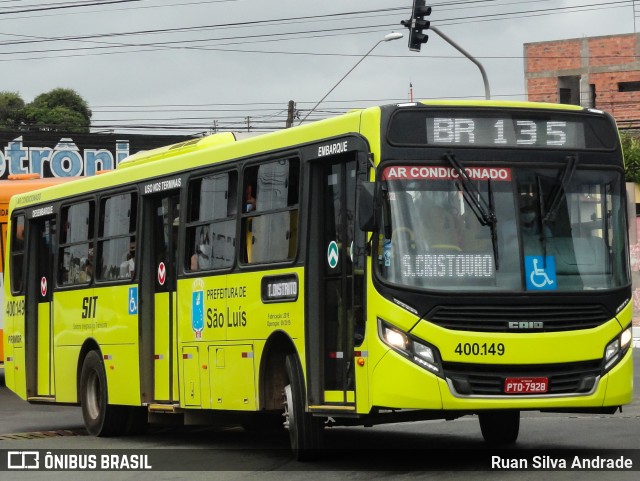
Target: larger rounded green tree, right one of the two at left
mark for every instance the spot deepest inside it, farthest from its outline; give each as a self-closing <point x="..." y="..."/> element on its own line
<point x="58" y="110"/>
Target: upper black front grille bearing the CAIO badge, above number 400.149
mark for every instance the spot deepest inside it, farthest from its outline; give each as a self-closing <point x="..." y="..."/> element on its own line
<point x="528" y="318"/>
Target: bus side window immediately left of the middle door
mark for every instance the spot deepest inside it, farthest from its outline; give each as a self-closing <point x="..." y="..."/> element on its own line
<point x="117" y="240"/>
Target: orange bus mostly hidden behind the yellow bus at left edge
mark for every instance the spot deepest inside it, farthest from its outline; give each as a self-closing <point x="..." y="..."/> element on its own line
<point x="15" y="184"/>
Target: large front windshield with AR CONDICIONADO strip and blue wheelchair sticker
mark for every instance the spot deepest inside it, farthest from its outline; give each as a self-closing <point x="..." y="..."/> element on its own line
<point x="515" y="229"/>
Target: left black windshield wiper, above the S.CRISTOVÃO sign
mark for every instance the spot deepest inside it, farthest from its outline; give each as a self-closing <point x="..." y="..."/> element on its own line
<point x="483" y="210"/>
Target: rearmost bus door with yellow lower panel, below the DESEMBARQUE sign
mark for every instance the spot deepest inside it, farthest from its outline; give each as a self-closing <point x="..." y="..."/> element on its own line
<point x="39" y="308"/>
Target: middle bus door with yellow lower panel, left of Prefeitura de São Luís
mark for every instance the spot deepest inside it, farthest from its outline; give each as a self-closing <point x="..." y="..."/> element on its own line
<point x="158" y="283"/>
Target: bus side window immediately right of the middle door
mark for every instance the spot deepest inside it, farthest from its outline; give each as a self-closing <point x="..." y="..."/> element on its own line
<point x="211" y="231"/>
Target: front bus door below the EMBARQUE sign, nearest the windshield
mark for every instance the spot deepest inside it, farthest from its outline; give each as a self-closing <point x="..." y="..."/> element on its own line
<point x="335" y="290"/>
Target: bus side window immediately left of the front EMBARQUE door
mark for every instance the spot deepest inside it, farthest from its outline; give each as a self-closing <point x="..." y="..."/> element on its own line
<point x="271" y="234"/>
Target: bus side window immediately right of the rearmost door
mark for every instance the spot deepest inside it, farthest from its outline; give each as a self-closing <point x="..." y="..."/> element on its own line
<point x="76" y="253"/>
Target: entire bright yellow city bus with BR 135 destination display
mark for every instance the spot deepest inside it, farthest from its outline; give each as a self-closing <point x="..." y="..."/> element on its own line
<point x="419" y="261"/>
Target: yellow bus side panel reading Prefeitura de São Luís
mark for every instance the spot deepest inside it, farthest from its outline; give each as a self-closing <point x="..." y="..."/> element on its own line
<point x="221" y="342"/>
